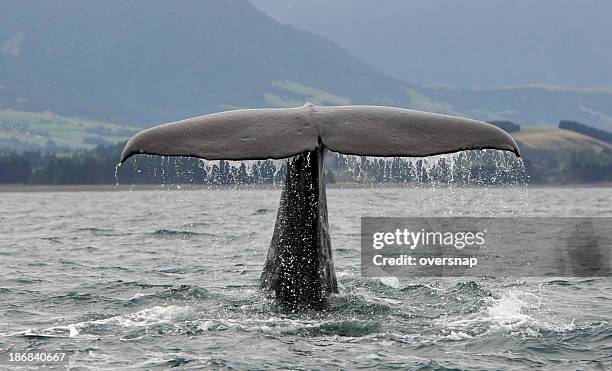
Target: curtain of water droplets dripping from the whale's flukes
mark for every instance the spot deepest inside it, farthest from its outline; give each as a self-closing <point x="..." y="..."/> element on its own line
<point x="488" y="171"/>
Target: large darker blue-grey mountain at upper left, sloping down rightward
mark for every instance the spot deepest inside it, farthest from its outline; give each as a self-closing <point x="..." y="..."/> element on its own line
<point x="145" y="61"/>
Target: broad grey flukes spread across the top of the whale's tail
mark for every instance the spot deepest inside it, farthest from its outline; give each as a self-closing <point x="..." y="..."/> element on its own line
<point x="254" y="134"/>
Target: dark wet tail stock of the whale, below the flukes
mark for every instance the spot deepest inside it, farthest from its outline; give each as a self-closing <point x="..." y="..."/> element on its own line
<point x="300" y="267"/>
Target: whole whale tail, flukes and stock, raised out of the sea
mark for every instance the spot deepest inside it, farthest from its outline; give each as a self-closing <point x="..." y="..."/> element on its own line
<point x="299" y="268"/>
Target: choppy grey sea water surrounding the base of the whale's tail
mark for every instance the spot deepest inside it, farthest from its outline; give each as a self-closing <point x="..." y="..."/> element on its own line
<point x="150" y="279"/>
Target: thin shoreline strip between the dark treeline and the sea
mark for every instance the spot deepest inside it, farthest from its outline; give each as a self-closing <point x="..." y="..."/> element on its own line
<point x="25" y="188"/>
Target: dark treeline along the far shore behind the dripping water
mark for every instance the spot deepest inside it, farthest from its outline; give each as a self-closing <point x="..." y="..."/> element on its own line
<point x="97" y="166"/>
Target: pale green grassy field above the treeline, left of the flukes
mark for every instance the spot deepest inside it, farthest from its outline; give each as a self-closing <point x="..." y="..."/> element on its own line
<point x="31" y="131"/>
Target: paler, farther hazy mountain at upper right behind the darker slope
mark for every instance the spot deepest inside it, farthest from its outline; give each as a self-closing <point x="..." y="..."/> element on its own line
<point x="466" y="43"/>
